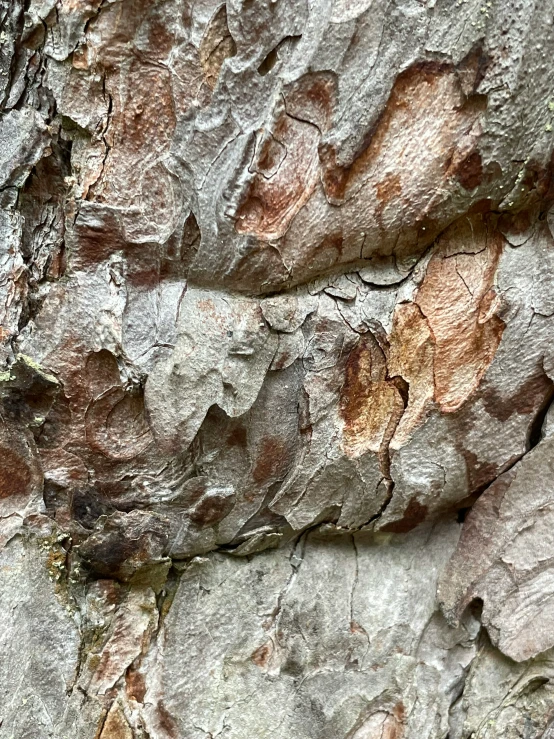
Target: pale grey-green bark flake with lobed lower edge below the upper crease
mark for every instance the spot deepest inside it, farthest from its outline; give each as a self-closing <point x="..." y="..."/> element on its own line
<point x="228" y="370"/>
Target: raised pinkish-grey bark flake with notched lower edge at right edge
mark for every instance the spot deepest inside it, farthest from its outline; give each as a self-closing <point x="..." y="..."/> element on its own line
<point x="510" y="527"/>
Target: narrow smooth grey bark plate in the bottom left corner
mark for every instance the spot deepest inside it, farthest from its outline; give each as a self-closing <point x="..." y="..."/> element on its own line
<point x="39" y="641"/>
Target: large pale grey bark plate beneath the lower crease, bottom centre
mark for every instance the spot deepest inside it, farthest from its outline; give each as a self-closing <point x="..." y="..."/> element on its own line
<point x="325" y="638"/>
